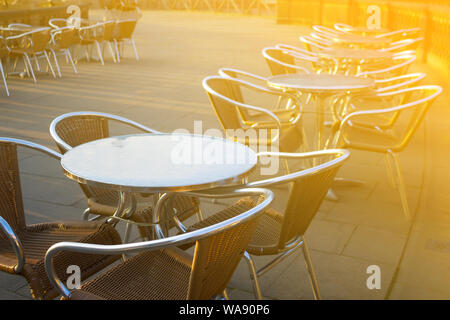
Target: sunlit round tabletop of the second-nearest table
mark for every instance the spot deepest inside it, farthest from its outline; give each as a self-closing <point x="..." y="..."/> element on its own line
<point x="319" y="82"/>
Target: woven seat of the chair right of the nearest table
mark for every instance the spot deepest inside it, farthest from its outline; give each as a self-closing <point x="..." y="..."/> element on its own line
<point x="267" y="234"/>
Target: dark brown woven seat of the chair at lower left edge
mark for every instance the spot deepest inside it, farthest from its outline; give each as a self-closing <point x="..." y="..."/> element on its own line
<point x="36" y="239"/>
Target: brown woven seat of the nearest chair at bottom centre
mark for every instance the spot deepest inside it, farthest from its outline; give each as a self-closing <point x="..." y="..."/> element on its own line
<point x="155" y="275"/>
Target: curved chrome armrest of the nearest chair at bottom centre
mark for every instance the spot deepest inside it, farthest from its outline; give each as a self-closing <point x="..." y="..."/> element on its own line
<point x="154" y="244"/>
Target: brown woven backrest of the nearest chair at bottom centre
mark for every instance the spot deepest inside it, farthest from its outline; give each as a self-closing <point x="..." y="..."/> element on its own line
<point x="216" y="258"/>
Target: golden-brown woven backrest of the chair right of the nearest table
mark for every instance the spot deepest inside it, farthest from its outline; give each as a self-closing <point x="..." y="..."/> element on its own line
<point x="306" y="196"/>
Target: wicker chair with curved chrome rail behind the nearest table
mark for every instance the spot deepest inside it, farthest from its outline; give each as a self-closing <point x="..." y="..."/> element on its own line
<point x="72" y="129"/>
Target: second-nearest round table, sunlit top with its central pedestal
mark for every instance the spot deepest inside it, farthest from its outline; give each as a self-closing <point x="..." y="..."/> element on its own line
<point x="321" y="86"/>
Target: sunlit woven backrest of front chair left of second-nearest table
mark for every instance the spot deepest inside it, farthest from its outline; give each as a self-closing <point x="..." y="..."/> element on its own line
<point x="226" y="111"/>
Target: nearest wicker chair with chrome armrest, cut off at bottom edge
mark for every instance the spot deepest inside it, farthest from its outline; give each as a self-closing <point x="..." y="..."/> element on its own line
<point x="161" y="271"/>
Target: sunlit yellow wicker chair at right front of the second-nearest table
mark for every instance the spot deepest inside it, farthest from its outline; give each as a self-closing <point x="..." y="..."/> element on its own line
<point x="388" y="130"/>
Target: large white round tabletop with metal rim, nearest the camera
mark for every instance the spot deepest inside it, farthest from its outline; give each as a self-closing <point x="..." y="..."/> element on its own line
<point x="159" y="162"/>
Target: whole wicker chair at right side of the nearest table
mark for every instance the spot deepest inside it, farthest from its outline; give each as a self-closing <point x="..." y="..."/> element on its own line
<point x="281" y="233"/>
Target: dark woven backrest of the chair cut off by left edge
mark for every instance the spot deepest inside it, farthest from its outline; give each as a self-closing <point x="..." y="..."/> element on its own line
<point x="11" y="205"/>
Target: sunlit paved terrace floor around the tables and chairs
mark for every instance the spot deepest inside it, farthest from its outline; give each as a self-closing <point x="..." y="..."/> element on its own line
<point x="163" y="90"/>
